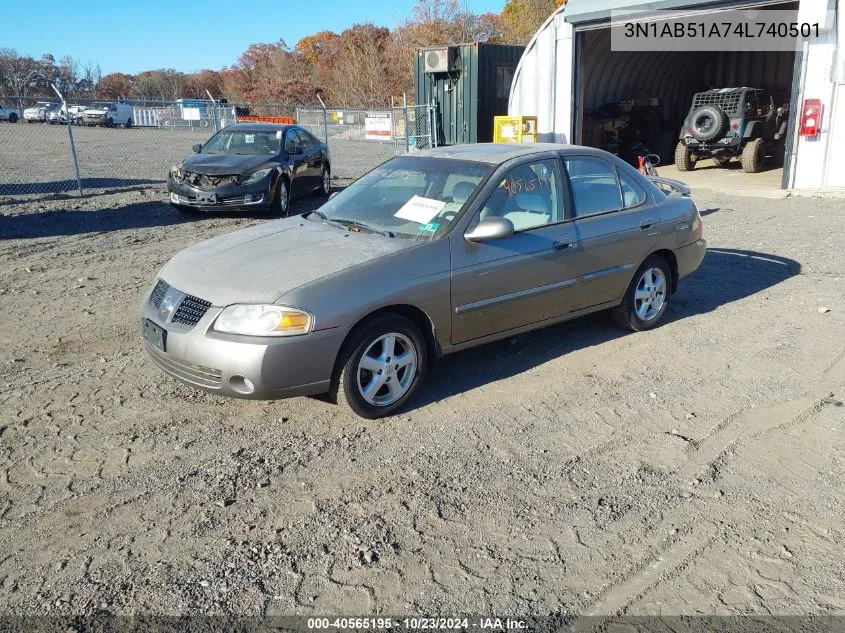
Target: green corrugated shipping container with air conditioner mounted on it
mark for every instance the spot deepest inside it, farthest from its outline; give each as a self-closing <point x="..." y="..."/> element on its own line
<point x="470" y="84"/>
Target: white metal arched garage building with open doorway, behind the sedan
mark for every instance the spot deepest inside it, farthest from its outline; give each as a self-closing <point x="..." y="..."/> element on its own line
<point x="568" y="70"/>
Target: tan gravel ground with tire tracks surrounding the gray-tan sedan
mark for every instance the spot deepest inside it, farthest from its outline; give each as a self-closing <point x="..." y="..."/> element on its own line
<point x="696" y="468"/>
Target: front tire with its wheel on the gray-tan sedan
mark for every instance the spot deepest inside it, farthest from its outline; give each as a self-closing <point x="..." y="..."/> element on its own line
<point x="385" y="397"/>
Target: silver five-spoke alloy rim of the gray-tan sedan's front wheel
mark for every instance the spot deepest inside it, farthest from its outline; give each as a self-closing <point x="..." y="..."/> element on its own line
<point x="387" y="369"/>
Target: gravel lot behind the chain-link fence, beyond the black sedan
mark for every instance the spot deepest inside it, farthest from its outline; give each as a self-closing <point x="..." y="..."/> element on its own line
<point x="36" y="158"/>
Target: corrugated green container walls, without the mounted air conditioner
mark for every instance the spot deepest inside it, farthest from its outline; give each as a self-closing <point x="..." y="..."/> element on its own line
<point x="467" y="99"/>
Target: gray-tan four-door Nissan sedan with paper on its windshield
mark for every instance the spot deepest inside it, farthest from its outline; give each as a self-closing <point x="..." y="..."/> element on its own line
<point x="426" y="255"/>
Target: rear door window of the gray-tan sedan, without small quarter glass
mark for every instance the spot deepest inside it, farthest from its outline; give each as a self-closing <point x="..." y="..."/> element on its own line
<point x="594" y="186"/>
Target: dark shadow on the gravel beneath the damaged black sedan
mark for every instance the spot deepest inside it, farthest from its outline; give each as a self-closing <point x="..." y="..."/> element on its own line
<point x="138" y="215"/>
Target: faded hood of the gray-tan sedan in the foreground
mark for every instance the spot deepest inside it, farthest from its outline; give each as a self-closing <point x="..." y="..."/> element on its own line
<point x="261" y="263"/>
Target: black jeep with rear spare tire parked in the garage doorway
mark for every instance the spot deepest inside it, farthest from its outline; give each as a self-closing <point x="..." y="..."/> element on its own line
<point x="730" y="122"/>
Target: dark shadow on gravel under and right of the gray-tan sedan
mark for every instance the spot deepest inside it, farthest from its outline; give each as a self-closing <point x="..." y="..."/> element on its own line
<point x="725" y="275"/>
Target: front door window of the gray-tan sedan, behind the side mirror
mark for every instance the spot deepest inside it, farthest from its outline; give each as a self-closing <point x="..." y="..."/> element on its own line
<point x="529" y="196"/>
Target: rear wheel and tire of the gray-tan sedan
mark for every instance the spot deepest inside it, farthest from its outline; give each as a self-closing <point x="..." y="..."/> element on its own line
<point x="640" y="313"/>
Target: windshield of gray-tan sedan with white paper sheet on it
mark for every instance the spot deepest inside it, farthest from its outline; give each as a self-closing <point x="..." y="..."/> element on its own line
<point x="410" y="197"/>
